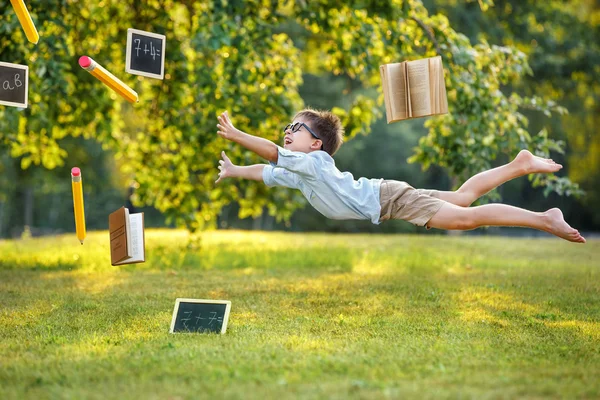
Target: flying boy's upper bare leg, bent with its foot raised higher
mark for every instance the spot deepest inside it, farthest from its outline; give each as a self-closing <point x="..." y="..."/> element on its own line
<point x="524" y="163"/>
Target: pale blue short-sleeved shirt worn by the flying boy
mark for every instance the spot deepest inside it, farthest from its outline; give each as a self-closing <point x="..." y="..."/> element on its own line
<point x="334" y="194"/>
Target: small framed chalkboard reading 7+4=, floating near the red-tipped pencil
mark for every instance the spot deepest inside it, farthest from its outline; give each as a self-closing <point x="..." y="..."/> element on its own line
<point x="145" y="53"/>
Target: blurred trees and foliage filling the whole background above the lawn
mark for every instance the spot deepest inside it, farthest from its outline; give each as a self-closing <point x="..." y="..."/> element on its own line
<point x="264" y="62"/>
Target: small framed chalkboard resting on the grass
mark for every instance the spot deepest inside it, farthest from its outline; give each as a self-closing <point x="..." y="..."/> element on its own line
<point x="203" y="316"/>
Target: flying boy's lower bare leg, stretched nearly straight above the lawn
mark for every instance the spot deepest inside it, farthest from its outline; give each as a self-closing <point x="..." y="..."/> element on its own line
<point x="453" y="217"/>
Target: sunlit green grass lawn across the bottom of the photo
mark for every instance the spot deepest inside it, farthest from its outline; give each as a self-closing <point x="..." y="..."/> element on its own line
<point x="313" y="316"/>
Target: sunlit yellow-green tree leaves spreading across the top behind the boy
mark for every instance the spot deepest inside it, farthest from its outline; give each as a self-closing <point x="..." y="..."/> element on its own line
<point x="238" y="56"/>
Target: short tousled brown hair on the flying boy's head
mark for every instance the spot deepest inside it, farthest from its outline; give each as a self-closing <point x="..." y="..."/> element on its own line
<point x="326" y="125"/>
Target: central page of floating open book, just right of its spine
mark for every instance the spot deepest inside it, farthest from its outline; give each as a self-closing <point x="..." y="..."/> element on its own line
<point x="419" y="87"/>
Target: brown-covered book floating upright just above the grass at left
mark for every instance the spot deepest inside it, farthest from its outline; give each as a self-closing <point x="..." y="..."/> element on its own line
<point x="126" y="237"/>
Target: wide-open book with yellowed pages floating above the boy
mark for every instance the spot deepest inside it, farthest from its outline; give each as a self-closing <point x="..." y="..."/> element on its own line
<point x="413" y="89"/>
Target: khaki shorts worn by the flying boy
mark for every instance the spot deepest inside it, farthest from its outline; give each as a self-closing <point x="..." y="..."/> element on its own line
<point x="399" y="200"/>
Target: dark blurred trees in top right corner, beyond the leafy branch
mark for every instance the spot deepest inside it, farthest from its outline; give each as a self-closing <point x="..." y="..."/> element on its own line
<point x="561" y="43"/>
